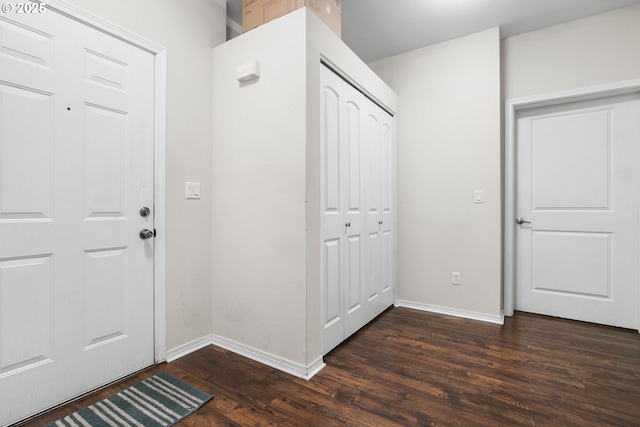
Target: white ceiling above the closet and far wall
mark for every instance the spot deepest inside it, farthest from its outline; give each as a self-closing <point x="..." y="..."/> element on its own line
<point x="376" y="29"/>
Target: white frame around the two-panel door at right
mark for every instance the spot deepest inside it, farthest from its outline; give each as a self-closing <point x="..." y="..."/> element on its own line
<point x="512" y="106"/>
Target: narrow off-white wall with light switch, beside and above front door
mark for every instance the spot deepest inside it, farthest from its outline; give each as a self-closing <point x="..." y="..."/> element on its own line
<point x="188" y="30"/>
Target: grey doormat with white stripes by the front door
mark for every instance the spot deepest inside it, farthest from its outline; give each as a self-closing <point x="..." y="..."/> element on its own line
<point x="160" y="400"/>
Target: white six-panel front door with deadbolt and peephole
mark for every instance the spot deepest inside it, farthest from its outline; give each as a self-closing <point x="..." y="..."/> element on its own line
<point x="76" y="167"/>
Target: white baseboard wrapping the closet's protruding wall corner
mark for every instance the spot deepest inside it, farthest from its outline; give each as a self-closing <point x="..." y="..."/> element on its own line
<point x="292" y="368"/>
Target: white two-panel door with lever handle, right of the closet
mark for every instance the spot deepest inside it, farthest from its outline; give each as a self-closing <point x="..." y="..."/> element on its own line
<point x="578" y="186"/>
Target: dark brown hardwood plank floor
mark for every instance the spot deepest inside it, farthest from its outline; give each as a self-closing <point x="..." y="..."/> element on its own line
<point x="411" y="368"/>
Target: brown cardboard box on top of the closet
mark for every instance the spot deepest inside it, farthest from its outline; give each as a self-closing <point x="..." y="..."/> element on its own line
<point x="258" y="12"/>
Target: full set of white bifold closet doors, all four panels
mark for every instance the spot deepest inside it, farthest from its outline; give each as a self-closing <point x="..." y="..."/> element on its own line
<point x="357" y="200"/>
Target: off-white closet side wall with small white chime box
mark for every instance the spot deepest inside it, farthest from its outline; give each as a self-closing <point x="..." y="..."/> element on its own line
<point x="259" y="156"/>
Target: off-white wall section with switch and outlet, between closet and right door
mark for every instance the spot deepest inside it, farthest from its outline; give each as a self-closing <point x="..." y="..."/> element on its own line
<point x="448" y="145"/>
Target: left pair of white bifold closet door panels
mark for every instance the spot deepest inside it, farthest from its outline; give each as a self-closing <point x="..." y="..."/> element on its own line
<point x="342" y="210"/>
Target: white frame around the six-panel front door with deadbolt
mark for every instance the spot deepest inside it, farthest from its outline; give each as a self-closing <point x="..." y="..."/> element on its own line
<point x="159" y="143"/>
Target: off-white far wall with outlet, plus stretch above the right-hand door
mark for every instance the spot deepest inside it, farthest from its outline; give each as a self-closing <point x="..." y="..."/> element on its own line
<point x="448" y="145"/>
